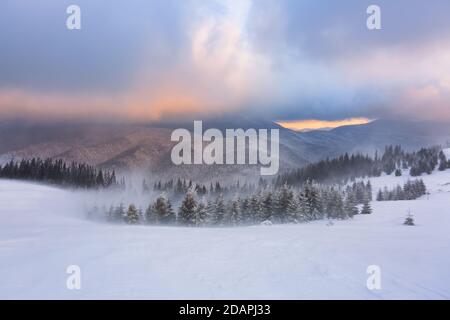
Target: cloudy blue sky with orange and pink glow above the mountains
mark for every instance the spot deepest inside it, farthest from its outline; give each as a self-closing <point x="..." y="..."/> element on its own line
<point x="286" y="60"/>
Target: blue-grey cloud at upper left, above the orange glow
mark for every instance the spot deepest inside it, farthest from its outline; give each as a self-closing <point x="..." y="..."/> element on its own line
<point x="117" y="36"/>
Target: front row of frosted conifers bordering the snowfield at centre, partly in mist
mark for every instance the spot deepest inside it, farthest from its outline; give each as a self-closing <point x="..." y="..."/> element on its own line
<point x="273" y="205"/>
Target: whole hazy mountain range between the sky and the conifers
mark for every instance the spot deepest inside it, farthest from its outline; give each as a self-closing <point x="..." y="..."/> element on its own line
<point x="148" y="147"/>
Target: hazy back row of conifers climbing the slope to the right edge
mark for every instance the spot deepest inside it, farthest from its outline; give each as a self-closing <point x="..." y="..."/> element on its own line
<point x="339" y="170"/>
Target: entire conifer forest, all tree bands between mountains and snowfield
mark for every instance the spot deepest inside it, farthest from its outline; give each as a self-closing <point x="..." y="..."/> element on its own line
<point x="329" y="189"/>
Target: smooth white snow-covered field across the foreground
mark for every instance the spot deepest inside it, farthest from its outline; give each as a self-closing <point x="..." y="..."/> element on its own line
<point x="42" y="231"/>
